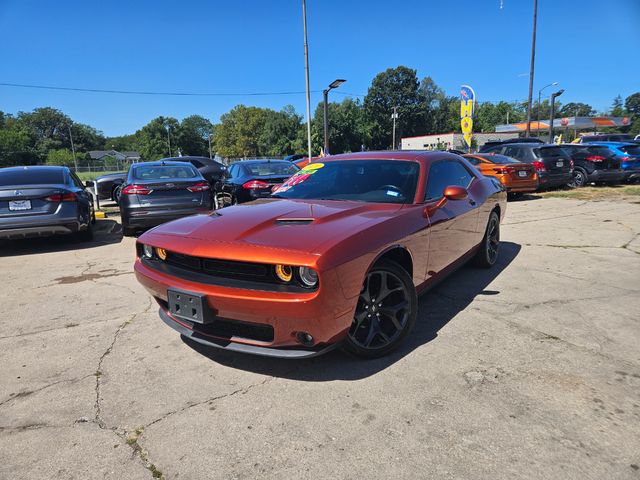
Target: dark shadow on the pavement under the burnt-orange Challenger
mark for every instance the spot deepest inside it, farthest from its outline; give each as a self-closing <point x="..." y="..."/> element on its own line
<point x="436" y="308"/>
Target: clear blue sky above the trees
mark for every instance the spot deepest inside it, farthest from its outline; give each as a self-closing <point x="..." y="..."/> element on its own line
<point x="591" y="47"/>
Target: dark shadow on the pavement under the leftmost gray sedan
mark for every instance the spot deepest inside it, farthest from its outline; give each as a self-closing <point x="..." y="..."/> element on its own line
<point x="106" y="232"/>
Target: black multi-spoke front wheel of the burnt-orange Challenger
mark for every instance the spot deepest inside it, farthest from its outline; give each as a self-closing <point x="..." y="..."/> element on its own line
<point x="385" y="313"/>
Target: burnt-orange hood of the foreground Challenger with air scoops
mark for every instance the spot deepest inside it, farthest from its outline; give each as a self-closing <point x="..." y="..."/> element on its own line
<point x="294" y="225"/>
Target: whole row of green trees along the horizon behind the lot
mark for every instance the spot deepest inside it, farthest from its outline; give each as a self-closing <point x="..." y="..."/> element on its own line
<point x="45" y="134"/>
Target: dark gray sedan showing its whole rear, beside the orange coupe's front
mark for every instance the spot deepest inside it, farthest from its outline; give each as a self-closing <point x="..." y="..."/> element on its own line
<point x="156" y="192"/>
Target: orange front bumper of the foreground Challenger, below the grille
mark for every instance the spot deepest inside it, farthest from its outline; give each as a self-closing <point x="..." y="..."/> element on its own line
<point x="325" y="314"/>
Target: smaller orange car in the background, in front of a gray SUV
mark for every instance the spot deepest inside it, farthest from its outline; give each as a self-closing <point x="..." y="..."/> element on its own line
<point x="517" y="177"/>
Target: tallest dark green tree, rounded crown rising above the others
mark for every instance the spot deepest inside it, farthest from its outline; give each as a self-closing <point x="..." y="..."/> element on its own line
<point x="395" y="87"/>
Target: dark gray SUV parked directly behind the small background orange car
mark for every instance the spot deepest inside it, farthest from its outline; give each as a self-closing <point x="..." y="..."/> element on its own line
<point x="554" y="166"/>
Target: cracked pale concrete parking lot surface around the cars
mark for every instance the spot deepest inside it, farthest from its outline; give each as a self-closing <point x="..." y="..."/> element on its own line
<point x="529" y="370"/>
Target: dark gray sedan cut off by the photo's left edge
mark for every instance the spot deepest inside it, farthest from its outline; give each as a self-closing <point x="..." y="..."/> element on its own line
<point x="43" y="201"/>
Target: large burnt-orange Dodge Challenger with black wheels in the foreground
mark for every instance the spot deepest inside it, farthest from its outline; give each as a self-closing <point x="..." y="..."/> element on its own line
<point x="337" y="256"/>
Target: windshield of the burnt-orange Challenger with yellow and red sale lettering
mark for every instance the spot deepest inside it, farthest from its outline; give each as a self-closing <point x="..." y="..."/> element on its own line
<point x="380" y="181"/>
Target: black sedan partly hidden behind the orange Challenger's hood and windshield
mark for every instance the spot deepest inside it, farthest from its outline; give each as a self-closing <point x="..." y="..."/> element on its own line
<point x="252" y="179"/>
